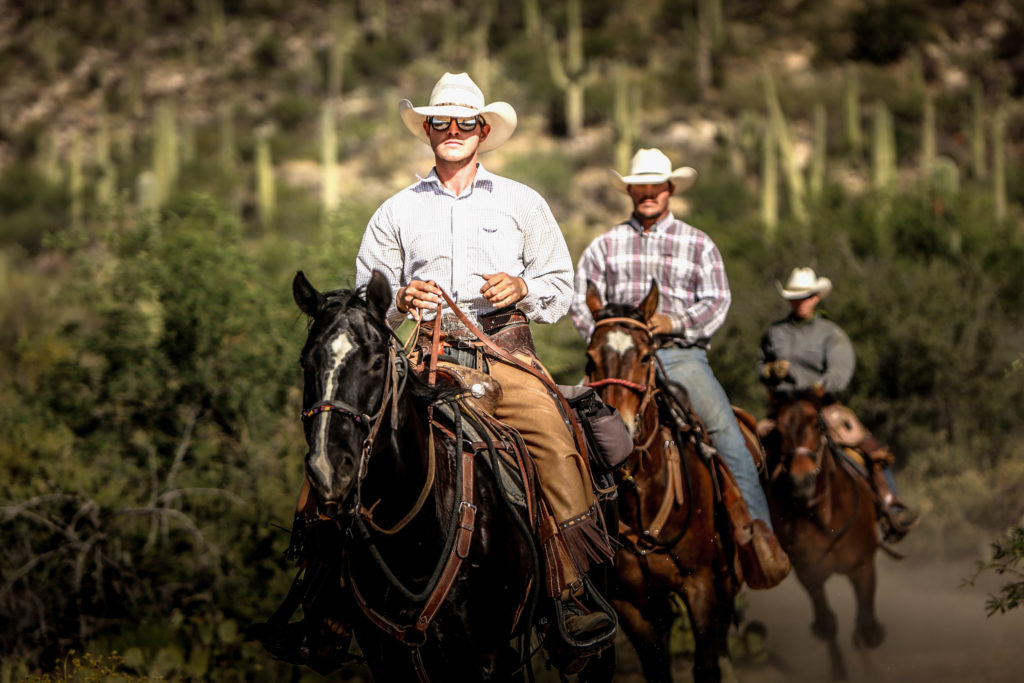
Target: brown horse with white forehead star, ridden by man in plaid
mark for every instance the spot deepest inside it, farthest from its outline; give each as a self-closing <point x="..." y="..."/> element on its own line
<point x="672" y="528"/>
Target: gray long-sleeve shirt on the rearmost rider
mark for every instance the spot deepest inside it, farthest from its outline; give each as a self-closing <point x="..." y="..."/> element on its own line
<point x="818" y="350"/>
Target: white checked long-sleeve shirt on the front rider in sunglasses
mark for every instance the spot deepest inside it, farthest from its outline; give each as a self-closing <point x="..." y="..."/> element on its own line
<point x="496" y="226"/>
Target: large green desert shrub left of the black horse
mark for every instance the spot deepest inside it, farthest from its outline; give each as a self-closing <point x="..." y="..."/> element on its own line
<point x="150" y="440"/>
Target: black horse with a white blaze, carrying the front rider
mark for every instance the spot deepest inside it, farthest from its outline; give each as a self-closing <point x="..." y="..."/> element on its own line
<point x="440" y="565"/>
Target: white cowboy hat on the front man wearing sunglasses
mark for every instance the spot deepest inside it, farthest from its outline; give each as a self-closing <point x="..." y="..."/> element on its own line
<point x="457" y="96"/>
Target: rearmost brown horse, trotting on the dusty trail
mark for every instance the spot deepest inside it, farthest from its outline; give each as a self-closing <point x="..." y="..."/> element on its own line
<point x="824" y="511"/>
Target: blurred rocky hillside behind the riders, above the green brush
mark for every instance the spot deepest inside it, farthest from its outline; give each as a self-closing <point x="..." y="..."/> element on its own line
<point x="84" y="83"/>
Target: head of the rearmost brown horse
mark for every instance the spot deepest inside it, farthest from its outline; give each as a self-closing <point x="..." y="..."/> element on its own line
<point x="800" y="447"/>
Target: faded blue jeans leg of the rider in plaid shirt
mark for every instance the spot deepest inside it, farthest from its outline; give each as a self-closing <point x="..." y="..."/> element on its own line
<point x="690" y="367"/>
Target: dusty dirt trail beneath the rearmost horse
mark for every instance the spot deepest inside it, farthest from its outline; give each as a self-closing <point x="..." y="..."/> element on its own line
<point x="936" y="630"/>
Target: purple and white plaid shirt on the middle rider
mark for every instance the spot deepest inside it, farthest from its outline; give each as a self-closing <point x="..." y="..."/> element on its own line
<point x="685" y="262"/>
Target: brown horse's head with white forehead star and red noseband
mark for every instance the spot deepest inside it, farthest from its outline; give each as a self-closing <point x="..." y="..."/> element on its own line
<point x="621" y="354"/>
